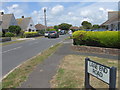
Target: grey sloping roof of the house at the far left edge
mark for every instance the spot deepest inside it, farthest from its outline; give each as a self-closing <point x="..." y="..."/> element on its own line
<point x="6" y="18"/>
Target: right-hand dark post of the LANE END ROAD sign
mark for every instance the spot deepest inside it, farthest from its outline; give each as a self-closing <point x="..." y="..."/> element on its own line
<point x="112" y="78"/>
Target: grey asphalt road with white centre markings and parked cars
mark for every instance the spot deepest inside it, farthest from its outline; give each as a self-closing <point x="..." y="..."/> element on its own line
<point x="15" y="54"/>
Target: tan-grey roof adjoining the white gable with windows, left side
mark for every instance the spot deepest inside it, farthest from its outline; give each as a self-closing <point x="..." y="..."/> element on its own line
<point x="23" y="22"/>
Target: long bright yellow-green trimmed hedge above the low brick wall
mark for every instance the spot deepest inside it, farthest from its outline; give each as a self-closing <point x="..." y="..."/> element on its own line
<point x="109" y="39"/>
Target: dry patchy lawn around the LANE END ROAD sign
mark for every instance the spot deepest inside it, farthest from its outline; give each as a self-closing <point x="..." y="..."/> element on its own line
<point x="71" y="72"/>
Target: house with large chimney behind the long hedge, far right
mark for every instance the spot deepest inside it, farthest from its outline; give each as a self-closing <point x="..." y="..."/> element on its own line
<point x="113" y="21"/>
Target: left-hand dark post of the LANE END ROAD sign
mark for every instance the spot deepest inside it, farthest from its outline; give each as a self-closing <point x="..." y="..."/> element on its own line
<point x="87" y="76"/>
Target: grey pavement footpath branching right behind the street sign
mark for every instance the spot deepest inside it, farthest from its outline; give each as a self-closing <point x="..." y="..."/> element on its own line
<point x="41" y="76"/>
